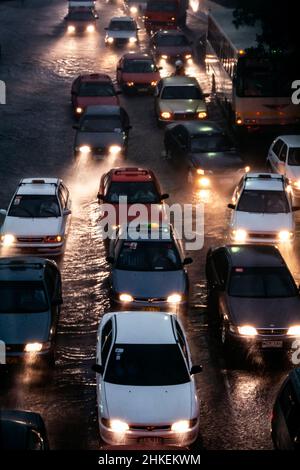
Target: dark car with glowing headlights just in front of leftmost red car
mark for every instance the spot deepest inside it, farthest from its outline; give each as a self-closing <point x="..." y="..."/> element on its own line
<point x="103" y="131"/>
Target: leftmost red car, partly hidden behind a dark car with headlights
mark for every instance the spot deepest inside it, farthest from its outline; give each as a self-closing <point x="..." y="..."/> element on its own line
<point x="93" y="89"/>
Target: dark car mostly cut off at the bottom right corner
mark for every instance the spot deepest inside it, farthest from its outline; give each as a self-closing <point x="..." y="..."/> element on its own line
<point x="285" y="424"/>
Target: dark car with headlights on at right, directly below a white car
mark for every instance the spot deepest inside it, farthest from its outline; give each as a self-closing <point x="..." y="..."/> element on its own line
<point x="254" y="296"/>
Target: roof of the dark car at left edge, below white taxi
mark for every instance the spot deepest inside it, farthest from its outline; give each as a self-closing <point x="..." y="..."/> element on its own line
<point x="22" y="268"/>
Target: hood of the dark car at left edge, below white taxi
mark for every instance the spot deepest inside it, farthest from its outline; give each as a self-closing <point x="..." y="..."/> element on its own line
<point x="22" y="328"/>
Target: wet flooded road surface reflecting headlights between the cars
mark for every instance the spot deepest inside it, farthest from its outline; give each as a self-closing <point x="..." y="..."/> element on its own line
<point x="38" y="65"/>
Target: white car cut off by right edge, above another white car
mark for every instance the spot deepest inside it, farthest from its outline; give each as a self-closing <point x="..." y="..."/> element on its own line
<point x="284" y="158"/>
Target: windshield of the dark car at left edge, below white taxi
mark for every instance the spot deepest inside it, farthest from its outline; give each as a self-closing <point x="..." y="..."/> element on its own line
<point x="23" y="297"/>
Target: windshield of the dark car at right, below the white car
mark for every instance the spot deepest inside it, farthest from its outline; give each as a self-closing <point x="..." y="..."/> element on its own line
<point x="262" y="283"/>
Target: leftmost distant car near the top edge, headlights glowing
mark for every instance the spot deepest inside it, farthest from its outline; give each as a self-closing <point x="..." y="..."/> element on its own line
<point x="81" y="20"/>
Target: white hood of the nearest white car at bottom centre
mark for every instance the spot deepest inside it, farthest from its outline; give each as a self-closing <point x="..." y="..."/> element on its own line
<point x="149" y="405"/>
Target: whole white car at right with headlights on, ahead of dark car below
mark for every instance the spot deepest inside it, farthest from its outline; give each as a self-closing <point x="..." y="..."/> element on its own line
<point x="262" y="210"/>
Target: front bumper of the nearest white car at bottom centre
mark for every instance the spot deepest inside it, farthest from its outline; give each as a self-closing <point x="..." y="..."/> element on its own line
<point x="140" y="437"/>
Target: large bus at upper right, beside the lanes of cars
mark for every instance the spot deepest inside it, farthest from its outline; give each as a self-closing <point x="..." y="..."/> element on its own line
<point x="254" y="88"/>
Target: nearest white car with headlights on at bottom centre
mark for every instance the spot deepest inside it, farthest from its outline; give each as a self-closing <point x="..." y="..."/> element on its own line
<point x="145" y="380"/>
